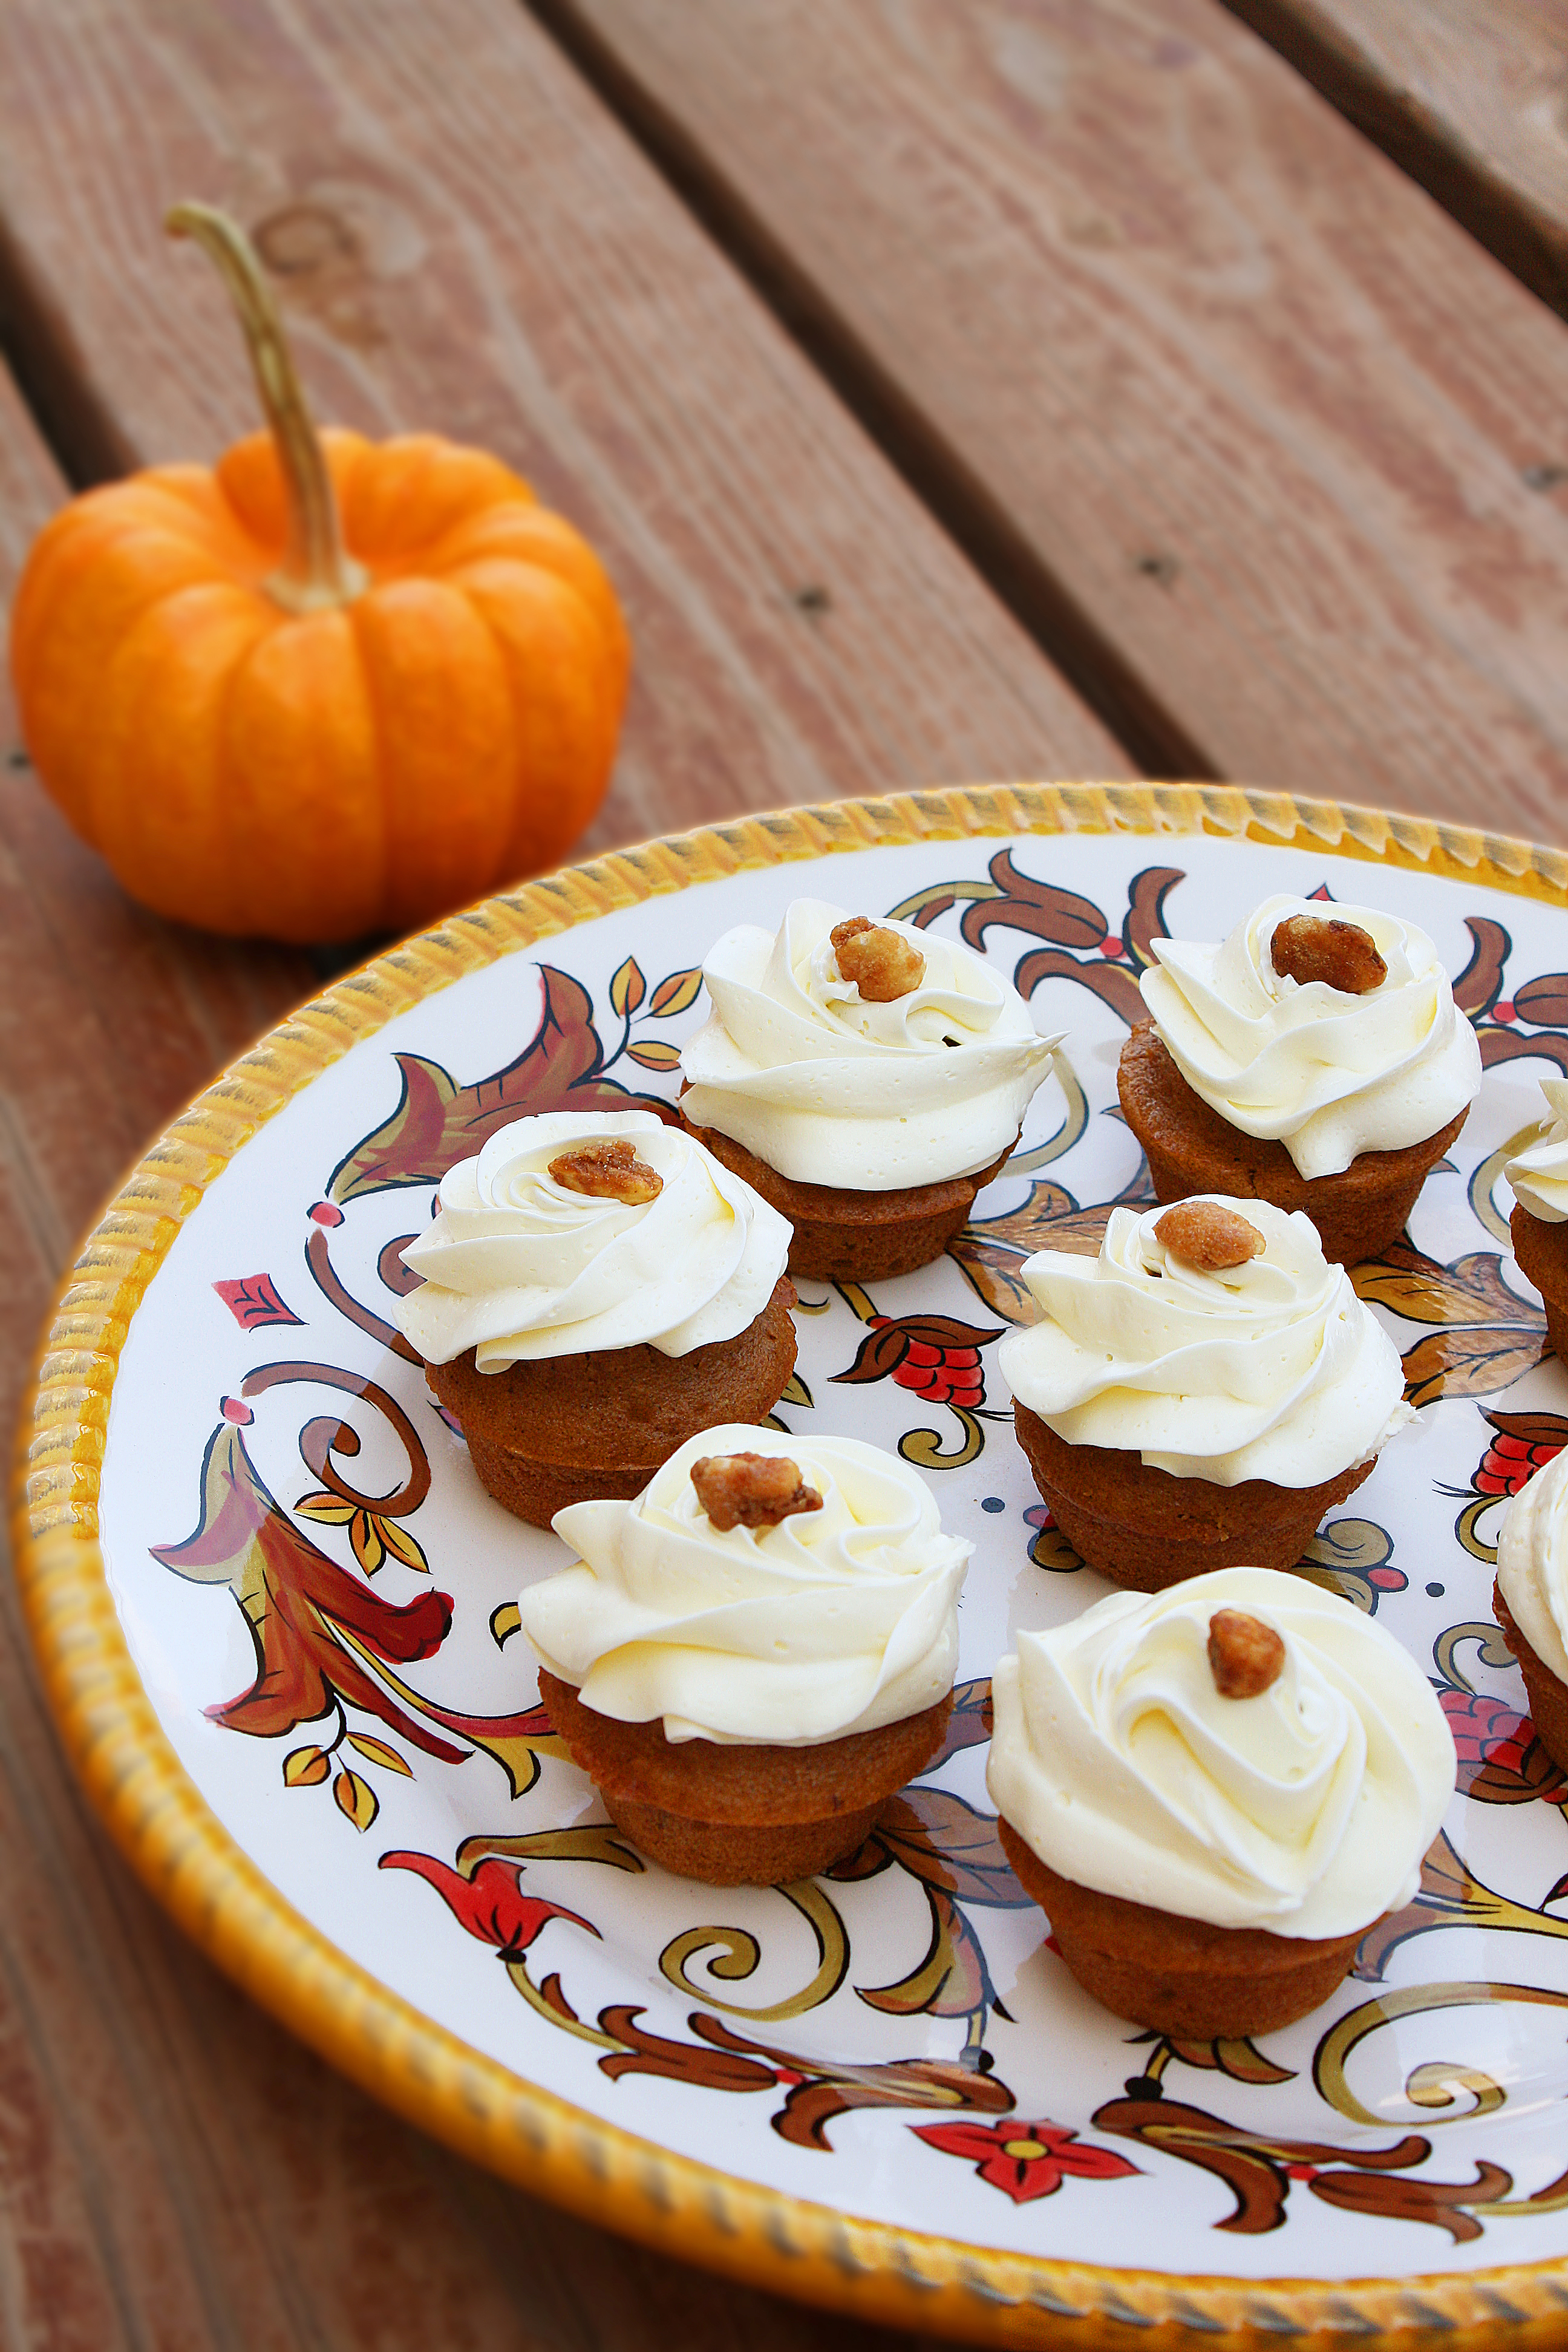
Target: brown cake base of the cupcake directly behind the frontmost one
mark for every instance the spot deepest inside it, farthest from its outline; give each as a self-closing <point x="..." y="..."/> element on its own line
<point x="1148" y="1530"/>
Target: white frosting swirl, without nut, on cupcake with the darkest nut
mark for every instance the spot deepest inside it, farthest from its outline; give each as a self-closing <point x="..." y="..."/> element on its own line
<point x="1325" y="1074"/>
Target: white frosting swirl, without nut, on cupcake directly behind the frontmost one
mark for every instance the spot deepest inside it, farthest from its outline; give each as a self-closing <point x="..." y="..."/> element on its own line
<point x="1268" y="1370"/>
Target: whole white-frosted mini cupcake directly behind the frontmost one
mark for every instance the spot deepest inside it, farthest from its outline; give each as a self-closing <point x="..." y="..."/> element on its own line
<point x="1200" y="1394"/>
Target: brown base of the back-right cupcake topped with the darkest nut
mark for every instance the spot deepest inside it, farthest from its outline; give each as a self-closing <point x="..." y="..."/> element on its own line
<point x="1191" y="1149"/>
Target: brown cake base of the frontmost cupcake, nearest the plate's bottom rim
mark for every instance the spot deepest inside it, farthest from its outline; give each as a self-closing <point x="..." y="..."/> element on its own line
<point x="1181" y="1977"/>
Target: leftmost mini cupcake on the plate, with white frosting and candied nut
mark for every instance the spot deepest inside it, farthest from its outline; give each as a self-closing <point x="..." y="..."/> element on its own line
<point x="594" y="1290"/>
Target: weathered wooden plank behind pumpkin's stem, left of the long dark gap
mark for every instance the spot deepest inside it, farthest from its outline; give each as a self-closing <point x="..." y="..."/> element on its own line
<point x="467" y="243"/>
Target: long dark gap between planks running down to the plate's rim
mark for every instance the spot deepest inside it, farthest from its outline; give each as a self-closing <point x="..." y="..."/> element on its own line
<point x="932" y="467"/>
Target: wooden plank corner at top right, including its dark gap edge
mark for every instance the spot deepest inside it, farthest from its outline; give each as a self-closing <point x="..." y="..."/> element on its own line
<point x="1466" y="95"/>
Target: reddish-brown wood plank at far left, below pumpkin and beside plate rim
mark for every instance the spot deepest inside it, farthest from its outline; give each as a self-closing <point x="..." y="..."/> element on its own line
<point x="175" y="2172"/>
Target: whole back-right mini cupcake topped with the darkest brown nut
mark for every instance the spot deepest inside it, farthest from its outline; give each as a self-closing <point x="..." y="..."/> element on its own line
<point x="1308" y="1060"/>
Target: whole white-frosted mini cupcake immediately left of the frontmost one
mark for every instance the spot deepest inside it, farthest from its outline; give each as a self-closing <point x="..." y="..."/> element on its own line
<point x="756" y="1655"/>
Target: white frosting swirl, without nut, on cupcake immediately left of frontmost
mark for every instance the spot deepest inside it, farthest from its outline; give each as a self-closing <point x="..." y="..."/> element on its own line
<point x="833" y="1622"/>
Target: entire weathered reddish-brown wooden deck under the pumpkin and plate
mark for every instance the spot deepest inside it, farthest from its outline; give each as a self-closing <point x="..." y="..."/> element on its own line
<point x="1054" y="389"/>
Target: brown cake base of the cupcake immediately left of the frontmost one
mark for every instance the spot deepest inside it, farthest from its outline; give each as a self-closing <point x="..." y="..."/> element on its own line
<point x="742" y="1815"/>
